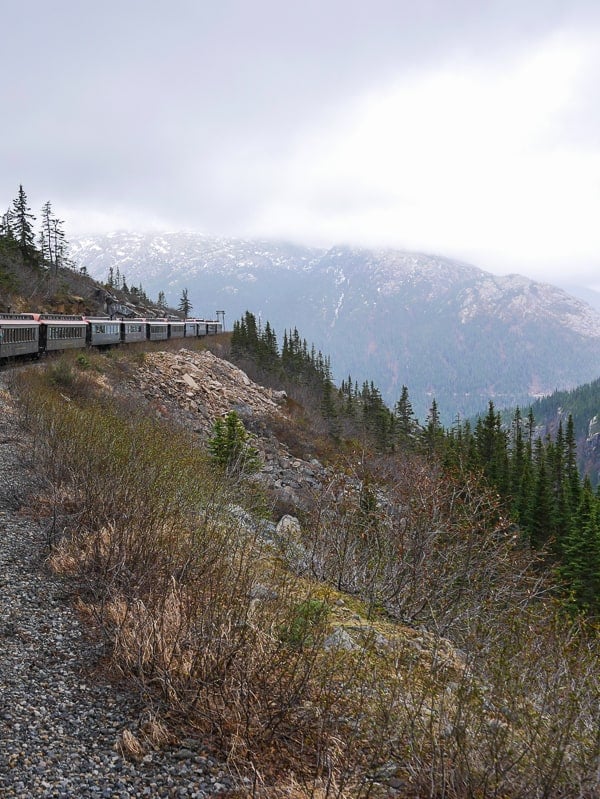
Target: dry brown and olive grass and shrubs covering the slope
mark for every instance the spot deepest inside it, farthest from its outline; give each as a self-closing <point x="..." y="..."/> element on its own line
<point x="207" y="620"/>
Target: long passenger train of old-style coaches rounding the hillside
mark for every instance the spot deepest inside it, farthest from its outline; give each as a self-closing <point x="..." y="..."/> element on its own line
<point x="34" y="334"/>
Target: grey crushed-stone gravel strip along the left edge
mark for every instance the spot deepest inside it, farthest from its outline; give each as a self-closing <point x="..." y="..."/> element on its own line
<point x="60" y="722"/>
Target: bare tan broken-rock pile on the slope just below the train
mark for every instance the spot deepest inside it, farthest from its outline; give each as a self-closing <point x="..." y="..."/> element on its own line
<point x="196" y="388"/>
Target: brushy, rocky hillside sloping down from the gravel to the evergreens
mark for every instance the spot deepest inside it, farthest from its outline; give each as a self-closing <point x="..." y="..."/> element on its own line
<point x="391" y="637"/>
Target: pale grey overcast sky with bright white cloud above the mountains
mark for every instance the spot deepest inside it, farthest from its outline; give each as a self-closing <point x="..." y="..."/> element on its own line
<point x="468" y="128"/>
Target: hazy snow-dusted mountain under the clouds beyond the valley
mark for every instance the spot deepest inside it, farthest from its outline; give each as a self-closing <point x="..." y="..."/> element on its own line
<point x="444" y="328"/>
